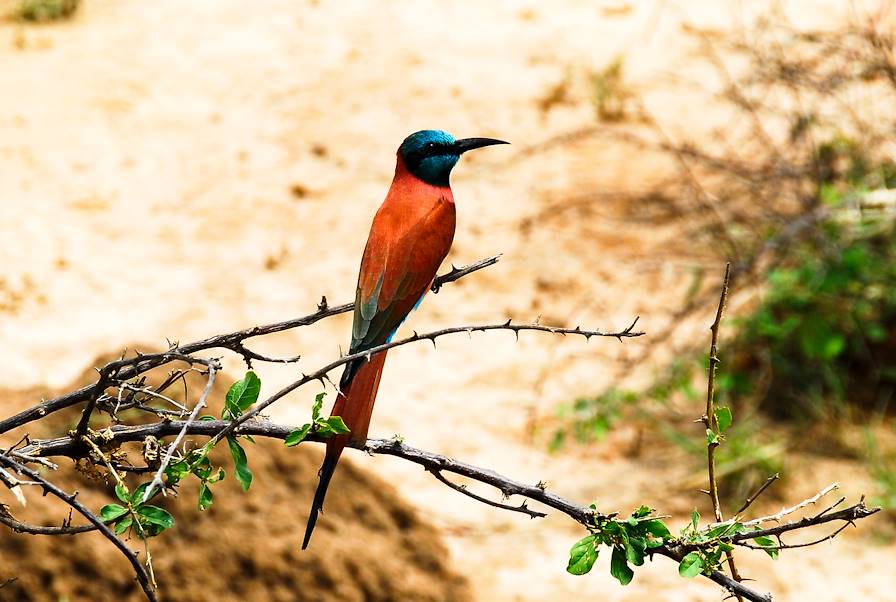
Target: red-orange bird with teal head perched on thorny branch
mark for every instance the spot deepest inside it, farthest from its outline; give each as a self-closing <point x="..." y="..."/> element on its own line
<point x="410" y="236"/>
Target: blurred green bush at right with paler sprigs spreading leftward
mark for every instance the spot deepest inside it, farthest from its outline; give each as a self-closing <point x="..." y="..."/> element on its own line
<point x="816" y="349"/>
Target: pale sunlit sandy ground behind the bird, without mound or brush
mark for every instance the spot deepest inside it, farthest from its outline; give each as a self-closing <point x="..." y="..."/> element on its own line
<point x="175" y="170"/>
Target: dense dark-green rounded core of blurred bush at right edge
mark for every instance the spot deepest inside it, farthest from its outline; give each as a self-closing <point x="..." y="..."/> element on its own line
<point x="820" y="341"/>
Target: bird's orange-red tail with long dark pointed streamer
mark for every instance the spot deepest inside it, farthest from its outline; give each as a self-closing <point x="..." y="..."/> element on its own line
<point x="354" y="405"/>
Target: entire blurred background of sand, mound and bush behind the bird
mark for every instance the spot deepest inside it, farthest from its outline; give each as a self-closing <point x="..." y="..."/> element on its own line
<point x="173" y="170"/>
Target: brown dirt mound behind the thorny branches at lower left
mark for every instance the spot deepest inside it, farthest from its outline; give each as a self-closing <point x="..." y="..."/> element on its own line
<point x="369" y="545"/>
